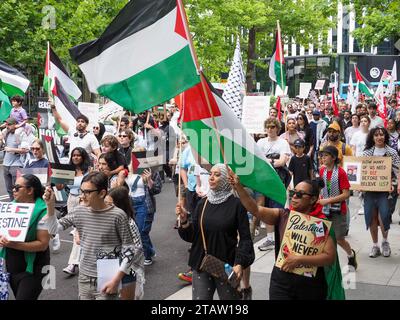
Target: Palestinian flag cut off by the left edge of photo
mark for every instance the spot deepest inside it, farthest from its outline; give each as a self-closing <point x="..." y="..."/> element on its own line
<point x="13" y="82"/>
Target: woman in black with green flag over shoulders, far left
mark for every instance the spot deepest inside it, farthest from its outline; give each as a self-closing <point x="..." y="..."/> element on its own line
<point x="25" y="260"/>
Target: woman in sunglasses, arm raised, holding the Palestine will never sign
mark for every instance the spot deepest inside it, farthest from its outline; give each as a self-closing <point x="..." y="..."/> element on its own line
<point x="285" y="285"/>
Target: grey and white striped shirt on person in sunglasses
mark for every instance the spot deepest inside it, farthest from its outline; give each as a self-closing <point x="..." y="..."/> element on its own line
<point x="101" y="231"/>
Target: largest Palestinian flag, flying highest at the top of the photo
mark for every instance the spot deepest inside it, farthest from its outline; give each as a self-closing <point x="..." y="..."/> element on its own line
<point x="143" y="58"/>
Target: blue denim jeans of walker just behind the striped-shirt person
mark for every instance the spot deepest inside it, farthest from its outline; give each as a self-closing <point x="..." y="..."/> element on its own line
<point x="144" y="225"/>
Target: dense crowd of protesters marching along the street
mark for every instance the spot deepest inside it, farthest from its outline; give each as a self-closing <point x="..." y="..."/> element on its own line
<point x="117" y="166"/>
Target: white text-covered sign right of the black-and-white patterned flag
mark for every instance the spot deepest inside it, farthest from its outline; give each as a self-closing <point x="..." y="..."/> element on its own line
<point x="255" y="112"/>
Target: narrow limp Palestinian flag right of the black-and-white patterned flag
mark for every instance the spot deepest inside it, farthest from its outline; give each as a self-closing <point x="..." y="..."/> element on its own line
<point x="277" y="71"/>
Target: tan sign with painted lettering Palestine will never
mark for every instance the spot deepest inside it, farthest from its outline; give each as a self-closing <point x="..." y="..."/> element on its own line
<point x="304" y="236"/>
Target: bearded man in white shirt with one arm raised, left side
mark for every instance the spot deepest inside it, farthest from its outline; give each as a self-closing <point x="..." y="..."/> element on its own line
<point x="80" y="136"/>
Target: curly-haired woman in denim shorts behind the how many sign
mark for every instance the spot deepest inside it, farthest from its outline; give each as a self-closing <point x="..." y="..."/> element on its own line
<point x="377" y="211"/>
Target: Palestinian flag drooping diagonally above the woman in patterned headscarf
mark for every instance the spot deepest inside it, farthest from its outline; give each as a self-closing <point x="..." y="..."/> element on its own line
<point x="241" y="152"/>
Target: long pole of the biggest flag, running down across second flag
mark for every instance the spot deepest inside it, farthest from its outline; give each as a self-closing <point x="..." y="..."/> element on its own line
<point x="202" y="80"/>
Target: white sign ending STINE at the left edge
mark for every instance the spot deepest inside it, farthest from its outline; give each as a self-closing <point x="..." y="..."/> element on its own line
<point x="14" y="220"/>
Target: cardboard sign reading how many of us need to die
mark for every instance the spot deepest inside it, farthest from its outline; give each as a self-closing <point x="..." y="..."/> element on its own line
<point x="369" y="173"/>
